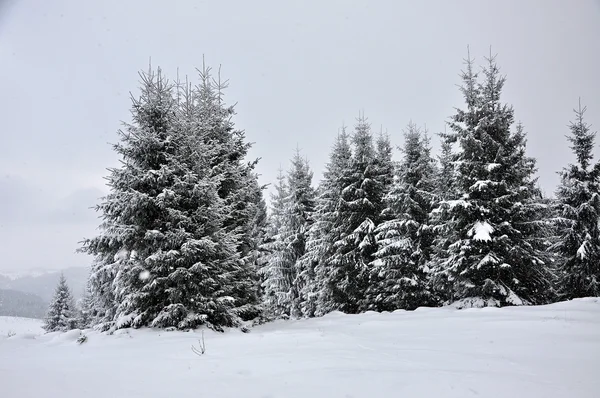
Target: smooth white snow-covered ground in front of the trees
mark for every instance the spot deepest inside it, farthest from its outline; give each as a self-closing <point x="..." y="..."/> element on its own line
<point x="547" y="351"/>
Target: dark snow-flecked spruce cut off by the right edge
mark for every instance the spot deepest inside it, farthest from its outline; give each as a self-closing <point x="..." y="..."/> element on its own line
<point x="578" y="212"/>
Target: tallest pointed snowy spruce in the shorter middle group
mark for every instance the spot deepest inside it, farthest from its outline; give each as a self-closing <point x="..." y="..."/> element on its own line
<point x="359" y="212"/>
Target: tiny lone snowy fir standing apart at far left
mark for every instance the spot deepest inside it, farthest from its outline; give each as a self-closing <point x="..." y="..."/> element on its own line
<point x="61" y="314"/>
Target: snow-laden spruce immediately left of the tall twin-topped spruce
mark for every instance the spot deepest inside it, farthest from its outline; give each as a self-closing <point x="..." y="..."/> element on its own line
<point x="399" y="273"/>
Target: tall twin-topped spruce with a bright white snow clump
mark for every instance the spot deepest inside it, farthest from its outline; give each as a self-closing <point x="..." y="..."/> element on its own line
<point x="496" y="254"/>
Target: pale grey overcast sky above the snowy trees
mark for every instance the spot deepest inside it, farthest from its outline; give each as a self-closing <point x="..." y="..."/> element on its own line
<point x="297" y="70"/>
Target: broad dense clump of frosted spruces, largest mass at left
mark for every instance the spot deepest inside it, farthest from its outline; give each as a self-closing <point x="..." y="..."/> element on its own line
<point x="175" y="247"/>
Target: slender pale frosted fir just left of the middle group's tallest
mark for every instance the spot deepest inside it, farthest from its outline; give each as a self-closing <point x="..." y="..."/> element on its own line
<point x="315" y="264"/>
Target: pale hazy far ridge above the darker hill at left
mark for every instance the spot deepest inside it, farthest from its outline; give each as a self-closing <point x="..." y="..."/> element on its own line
<point x="43" y="285"/>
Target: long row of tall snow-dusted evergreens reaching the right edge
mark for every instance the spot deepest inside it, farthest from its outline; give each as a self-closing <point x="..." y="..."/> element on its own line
<point x="186" y="238"/>
